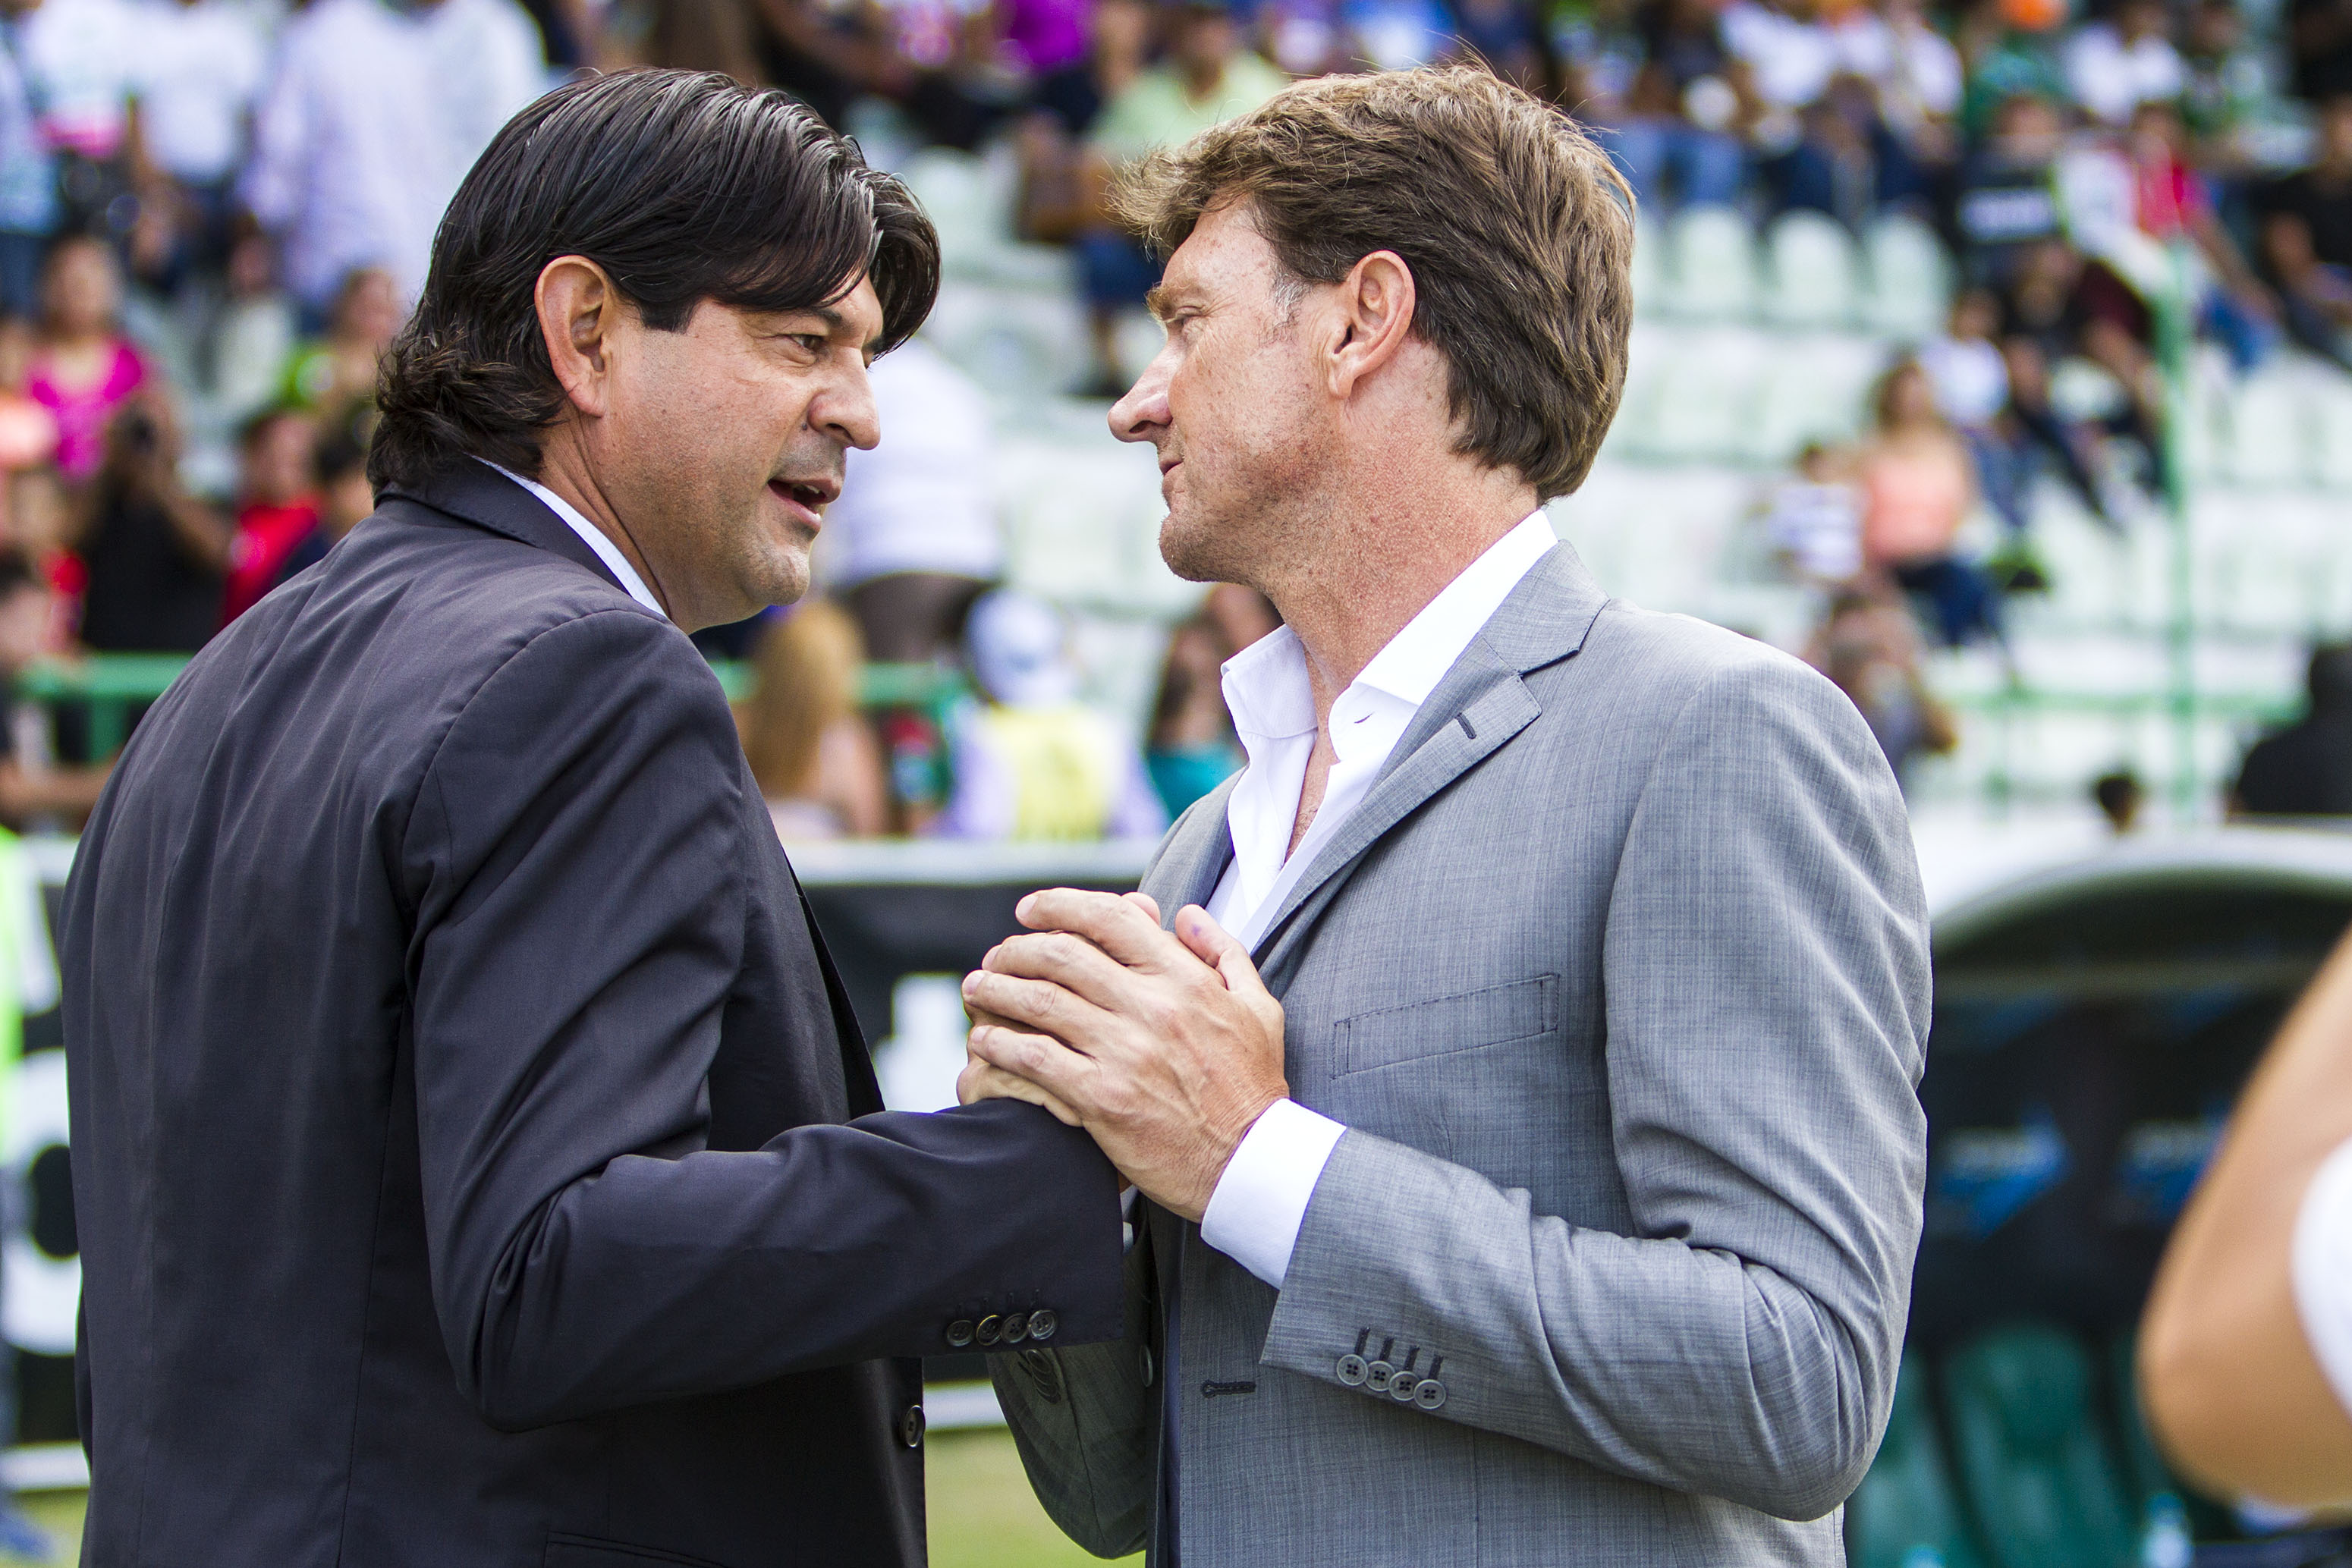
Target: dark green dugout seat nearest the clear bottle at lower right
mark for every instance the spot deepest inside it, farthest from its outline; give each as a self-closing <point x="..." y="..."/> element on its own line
<point x="2031" y="1459"/>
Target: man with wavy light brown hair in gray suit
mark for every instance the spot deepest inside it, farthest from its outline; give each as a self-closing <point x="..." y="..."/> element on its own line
<point x="1523" y="1094"/>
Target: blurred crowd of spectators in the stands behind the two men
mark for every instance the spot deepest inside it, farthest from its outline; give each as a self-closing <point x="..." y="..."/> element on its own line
<point x="215" y="213"/>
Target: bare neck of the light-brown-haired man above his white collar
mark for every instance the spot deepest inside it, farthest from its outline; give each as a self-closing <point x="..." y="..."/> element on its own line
<point x="1382" y="565"/>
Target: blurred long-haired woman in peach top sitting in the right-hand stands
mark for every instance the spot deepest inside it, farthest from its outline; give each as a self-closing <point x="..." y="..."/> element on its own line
<point x="1918" y="488"/>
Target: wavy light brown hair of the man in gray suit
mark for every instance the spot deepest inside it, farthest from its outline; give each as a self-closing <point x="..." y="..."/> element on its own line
<point x="1514" y="222"/>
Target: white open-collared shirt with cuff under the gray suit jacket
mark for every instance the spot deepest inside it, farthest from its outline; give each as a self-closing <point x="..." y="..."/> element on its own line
<point x="1262" y="1200"/>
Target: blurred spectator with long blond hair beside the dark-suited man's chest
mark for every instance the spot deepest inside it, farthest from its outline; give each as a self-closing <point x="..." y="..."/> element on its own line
<point x="808" y="746"/>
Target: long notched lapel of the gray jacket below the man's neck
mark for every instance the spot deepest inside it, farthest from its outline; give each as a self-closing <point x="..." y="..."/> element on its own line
<point x="1476" y="709"/>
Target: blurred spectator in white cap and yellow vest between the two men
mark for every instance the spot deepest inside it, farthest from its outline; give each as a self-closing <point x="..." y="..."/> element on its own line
<point x="1031" y="760"/>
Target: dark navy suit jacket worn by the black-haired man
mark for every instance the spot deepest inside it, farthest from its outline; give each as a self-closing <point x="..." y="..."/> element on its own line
<point x="474" y="1153"/>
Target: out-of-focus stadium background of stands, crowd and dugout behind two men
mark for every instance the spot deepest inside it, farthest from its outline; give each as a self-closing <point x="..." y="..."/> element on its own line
<point x="1996" y="356"/>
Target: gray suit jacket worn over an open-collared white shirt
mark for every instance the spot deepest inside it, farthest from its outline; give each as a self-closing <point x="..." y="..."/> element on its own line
<point x="1619" y="979"/>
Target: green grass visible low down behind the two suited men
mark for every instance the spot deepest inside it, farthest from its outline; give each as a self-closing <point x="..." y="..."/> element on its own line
<point x="982" y="1510"/>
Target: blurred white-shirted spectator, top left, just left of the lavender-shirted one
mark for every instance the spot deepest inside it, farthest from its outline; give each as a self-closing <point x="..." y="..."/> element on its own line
<point x="199" y="74"/>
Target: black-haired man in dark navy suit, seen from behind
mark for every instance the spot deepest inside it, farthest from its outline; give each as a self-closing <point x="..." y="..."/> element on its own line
<point x="476" y="1158"/>
